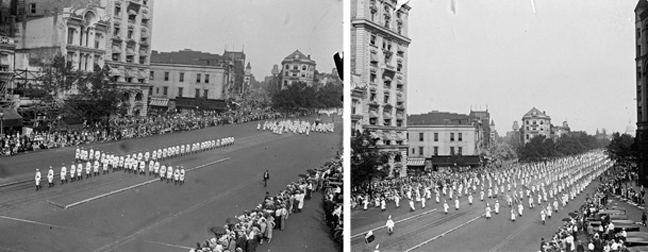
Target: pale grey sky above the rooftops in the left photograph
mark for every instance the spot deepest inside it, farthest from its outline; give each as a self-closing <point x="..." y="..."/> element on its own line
<point x="268" y="31"/>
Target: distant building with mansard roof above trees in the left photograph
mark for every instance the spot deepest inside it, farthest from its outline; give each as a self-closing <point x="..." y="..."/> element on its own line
<point x="297" y="67"/>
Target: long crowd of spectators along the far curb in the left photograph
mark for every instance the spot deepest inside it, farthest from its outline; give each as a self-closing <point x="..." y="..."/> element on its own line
<point x="126" y="127"/>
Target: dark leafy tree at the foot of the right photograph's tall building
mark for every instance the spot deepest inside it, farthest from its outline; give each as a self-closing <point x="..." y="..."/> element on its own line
<point x="366" y="161"/>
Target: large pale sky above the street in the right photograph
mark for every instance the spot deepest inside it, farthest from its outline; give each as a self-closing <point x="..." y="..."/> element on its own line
<point x="572" y="59"/>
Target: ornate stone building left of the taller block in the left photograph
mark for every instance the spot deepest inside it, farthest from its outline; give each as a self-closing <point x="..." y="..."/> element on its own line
<point x="77" y="34"/>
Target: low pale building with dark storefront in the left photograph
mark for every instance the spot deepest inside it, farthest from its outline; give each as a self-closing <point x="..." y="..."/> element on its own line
<point x="178" y="78"/>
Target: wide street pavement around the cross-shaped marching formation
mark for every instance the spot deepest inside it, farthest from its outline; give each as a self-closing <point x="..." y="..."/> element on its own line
<point x="162" y="216"/>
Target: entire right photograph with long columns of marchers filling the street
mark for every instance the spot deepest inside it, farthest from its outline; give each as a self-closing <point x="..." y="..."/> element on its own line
<point x="498" y="125"/>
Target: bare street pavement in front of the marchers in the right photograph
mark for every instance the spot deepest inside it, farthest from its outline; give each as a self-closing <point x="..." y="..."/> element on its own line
<point x="431" y="229"/>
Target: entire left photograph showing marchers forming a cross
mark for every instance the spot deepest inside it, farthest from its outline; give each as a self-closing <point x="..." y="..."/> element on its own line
<point x="168" y="125"/>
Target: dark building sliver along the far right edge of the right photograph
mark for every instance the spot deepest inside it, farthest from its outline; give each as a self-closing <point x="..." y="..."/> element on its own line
<point x="641" y="62"/>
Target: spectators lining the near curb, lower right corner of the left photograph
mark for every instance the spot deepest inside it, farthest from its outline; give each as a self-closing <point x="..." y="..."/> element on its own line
<point x="254" y="227"/>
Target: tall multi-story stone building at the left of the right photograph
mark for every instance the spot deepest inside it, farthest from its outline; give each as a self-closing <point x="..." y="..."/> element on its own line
<point x="379" y="42"/>
